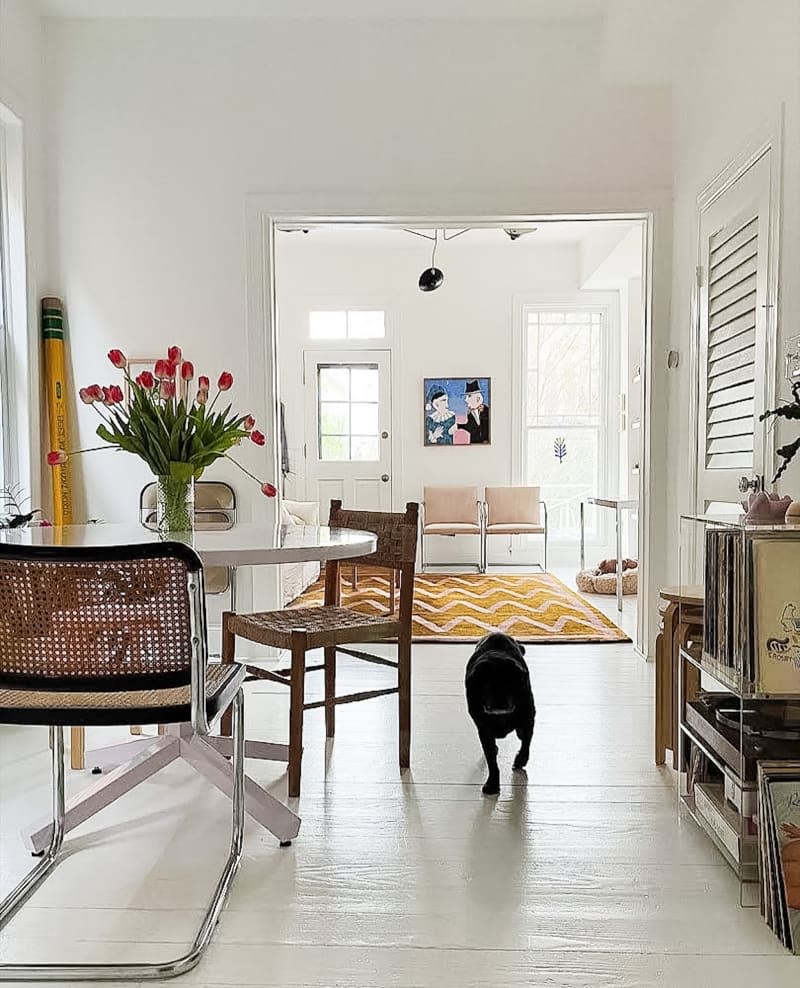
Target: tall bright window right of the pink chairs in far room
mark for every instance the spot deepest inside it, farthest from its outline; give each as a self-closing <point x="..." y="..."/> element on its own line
<point x="564" y="440"/>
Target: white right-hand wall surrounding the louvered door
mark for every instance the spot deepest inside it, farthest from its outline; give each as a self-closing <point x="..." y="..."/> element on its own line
<point x="747" y="72"/>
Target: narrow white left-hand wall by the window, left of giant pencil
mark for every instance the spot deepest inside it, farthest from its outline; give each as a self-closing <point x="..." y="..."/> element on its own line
<point x="21" y="92"/>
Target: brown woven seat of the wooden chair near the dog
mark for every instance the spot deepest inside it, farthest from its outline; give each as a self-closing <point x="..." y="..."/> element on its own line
<point x="276" y="627"/>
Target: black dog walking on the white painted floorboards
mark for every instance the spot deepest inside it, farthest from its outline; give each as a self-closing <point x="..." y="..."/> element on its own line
<point x="500" y="700"/>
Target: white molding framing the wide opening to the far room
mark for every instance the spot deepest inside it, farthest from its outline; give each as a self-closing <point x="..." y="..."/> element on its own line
<point x="266" y="212"/>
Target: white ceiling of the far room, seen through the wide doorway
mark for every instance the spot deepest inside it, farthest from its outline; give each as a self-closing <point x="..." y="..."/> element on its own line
<point x="572" y="232"/>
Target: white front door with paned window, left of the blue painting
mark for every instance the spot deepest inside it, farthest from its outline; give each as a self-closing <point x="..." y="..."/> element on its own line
<point x="348" y="428"/>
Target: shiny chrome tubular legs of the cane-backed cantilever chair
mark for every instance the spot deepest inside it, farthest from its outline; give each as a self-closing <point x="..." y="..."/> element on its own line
<point x="131" y="972"/>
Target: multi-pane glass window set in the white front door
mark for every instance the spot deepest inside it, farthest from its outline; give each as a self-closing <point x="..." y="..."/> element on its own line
<point x="348" y="420"/>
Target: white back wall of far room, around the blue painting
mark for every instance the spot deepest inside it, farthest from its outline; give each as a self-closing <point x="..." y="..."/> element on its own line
<point x="465" y="328"/>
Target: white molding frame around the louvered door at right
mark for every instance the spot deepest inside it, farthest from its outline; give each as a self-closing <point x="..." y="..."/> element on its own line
<point x="768" y="142"/>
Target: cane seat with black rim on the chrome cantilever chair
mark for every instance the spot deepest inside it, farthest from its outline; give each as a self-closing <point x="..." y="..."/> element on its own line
<point x="118" y="708"/>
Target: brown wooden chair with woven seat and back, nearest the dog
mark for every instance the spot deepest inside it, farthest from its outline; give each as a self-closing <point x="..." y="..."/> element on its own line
<point x="333" y="628"/>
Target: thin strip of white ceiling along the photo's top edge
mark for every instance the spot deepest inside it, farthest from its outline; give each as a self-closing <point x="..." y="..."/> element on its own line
<point x="328" y="9"/>
